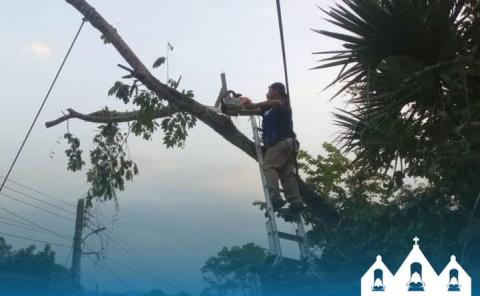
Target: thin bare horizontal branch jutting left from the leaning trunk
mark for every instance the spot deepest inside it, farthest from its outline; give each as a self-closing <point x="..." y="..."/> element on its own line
<point x="107" y="116"/>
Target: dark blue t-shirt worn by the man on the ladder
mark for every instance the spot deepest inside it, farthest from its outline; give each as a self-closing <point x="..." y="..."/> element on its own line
<point x="277" y="124"/>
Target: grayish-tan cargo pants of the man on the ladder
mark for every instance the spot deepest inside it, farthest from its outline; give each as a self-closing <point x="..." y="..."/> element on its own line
<point x="279" y="164"/>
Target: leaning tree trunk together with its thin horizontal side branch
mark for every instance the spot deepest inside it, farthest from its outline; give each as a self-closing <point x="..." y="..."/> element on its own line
<point x="221" y="124"/>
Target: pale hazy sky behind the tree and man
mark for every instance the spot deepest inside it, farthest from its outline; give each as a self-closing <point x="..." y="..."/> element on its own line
<point x="186" y="204"/>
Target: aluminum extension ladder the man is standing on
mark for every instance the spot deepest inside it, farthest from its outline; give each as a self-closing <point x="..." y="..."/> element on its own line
<point x="274" y="235"/>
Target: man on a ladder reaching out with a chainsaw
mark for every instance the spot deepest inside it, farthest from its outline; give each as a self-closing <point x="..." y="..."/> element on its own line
<point x="280" y="145"/>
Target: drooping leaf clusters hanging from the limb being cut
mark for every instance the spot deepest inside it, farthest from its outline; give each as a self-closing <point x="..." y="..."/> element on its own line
<point x="110" y="166"/>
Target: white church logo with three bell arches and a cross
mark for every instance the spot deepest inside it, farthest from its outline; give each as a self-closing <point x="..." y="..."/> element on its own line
<point x="416" y="277"/>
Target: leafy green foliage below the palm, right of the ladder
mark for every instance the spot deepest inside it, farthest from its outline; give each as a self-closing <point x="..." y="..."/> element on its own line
<point x="381" y="218"/>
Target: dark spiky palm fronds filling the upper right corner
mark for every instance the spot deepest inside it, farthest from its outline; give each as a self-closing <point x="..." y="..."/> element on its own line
<point x="411" y="71"/>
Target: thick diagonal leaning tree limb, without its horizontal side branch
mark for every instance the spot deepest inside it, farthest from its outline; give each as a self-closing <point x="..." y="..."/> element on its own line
<point x="223" y="125"/>
